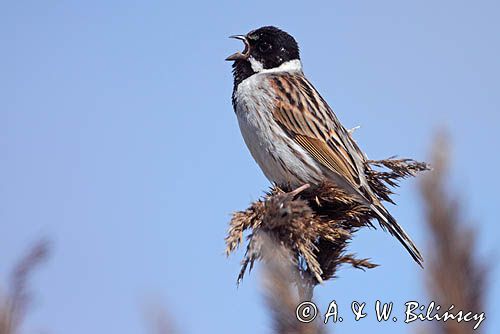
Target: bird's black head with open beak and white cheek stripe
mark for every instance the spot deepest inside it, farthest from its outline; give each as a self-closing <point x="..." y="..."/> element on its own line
<point x="265" y="48"/>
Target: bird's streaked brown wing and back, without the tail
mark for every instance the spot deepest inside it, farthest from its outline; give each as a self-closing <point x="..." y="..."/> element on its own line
<point x="306" y="117"/>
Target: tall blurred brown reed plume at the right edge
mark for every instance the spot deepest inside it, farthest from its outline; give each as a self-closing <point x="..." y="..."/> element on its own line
<point x="456" y="275"/>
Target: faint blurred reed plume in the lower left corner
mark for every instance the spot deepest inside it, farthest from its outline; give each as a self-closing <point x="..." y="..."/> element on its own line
<point x="14" y="304"/>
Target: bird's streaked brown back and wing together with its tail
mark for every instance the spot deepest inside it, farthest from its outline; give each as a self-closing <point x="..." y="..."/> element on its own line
<point x="307" y="118"/>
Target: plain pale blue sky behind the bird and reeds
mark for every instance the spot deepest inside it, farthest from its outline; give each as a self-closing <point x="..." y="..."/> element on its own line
<point x="118" y="141"/>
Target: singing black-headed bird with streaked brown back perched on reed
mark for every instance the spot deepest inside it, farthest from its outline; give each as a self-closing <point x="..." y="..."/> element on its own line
<point x="291" y="131"/>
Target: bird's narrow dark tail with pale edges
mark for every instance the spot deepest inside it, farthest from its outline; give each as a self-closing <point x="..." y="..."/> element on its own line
<point x="389" y="222"/>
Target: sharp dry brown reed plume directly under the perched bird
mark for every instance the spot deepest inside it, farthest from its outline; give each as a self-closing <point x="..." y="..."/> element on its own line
<point x="314" y="224"/>
